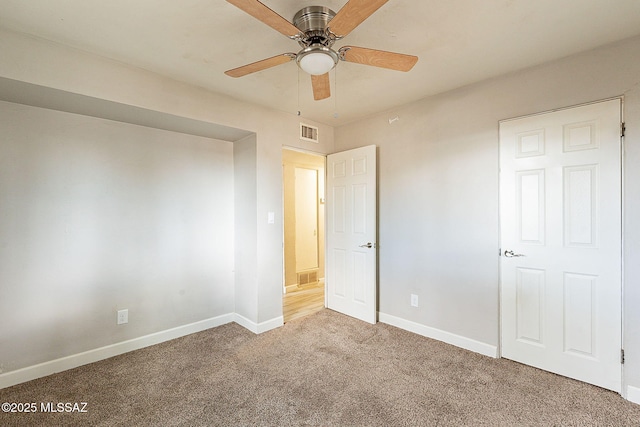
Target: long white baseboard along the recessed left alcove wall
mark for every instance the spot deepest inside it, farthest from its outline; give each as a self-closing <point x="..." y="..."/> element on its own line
<point x="69" y="362"/>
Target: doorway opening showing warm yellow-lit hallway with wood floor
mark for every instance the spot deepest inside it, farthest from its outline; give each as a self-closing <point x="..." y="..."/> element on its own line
<point x="304" y="234"/>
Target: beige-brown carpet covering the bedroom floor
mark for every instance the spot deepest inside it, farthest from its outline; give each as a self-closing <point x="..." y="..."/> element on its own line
<point x="324" y="369"/>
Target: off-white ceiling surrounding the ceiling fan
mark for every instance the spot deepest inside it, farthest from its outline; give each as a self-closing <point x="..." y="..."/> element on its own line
<point x="458" y="42"/>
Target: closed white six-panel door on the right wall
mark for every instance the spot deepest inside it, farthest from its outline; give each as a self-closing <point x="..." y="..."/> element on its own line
<point x="560" y="210"/>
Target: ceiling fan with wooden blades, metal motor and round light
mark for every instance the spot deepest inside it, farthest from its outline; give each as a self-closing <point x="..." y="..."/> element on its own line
<point x="316" y="29"/>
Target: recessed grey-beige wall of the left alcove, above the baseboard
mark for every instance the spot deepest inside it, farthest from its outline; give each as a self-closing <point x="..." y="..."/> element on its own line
<point x="98" y="216"/>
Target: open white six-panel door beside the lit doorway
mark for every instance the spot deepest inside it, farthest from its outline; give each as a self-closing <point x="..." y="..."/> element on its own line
<point x="351" y="233"/>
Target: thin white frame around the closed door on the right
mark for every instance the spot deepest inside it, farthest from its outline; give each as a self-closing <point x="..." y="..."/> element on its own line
<point x="622" y="201"/>
